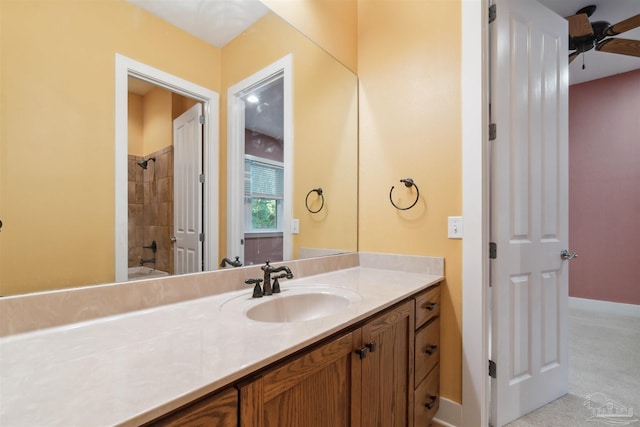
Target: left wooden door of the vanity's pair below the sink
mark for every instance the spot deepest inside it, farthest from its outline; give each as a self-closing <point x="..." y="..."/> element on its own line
<point x="314" y="389"/>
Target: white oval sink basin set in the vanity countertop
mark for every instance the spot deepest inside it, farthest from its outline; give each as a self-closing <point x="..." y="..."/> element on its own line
<point x="295" y="304"/>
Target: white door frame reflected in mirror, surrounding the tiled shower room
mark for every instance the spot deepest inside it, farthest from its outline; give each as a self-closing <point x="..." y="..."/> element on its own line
<point x="207" y="179"/>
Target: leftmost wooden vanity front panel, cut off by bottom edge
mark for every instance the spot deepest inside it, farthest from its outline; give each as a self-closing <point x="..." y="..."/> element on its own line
<point x="220" y="409"/>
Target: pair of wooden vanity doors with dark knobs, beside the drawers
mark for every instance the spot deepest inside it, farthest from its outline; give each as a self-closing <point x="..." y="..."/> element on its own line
<point x="361" y="378"/>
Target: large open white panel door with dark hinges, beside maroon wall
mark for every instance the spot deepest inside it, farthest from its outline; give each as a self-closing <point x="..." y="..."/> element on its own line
<point x="529" y="208"/>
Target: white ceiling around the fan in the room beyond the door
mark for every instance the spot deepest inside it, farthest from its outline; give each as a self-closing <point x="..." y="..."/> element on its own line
<point x="600" y="64"/>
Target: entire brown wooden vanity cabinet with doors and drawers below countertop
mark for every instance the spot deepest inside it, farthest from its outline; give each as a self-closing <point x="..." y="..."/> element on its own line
<point x="383" y="372"/>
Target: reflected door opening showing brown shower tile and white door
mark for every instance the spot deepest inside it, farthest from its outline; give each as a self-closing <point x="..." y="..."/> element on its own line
<point x="165" y="151"/>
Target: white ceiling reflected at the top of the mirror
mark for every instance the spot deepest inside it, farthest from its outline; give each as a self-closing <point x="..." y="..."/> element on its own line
<point x="215" y="21"/>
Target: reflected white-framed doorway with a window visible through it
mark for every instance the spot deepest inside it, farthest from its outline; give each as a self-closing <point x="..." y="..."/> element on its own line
<point x="260" y="166"/>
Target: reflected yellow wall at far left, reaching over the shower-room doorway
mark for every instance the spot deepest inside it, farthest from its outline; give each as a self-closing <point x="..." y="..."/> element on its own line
<point x="58" y="143"/>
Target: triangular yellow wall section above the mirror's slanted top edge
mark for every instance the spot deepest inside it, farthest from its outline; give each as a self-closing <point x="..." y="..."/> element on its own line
<point x="330" y="23"/>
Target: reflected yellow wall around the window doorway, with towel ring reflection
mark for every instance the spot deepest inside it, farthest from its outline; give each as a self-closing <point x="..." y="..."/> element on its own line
<point x="325" y="131"/>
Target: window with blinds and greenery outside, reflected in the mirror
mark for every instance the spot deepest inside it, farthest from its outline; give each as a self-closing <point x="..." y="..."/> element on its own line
<point x="263" y="195"/>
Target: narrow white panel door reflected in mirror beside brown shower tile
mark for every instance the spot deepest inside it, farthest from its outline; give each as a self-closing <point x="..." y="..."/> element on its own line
<point x="187" y="194"/>
